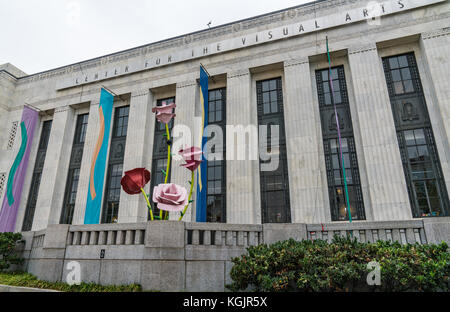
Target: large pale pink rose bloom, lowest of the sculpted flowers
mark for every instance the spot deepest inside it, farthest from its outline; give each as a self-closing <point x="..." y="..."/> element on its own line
<point x="170" y="197"/>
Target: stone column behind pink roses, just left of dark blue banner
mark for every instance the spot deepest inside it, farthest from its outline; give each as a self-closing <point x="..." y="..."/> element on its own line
<point x="187" y="100"/>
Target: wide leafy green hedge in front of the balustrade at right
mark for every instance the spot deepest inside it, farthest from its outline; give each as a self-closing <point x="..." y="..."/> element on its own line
<point x="319" y="266"/>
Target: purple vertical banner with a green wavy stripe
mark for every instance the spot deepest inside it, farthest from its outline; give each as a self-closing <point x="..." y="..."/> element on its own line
<point x="16" y="176"/>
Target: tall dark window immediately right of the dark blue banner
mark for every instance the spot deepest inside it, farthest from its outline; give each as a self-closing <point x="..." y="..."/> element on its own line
<point x="216" y="192"/>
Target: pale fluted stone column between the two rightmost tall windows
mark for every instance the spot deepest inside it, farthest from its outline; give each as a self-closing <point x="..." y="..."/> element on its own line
<point x="381" y="153"/>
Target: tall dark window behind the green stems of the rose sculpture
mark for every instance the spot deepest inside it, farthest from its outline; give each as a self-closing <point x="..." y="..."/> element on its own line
<point x="160" y="148"/>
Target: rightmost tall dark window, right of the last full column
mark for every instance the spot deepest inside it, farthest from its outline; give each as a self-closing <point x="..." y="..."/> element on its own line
<point x="426" y="186"/>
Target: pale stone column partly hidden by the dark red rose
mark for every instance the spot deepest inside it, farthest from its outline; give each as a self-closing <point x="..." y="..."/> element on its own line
<point x="141" y="126"/>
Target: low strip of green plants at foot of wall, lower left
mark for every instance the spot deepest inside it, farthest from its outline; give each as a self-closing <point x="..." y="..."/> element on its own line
<point x="21" y="279"/>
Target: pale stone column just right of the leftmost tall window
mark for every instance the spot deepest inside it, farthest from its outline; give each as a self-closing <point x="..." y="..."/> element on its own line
<point x="54" y="173"/>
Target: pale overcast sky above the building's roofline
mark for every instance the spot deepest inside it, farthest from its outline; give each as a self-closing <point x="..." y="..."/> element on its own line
<point x="38" y="35"/>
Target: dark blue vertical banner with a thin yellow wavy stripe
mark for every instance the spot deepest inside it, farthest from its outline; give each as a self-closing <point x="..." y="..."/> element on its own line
<point x="201" y="174"/>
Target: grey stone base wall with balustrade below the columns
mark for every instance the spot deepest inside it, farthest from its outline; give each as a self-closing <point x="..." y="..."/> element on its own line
<point x="178" y="256"/>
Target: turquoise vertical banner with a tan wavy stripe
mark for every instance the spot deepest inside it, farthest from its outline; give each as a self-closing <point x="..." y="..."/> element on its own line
<point x="98" y="165"/>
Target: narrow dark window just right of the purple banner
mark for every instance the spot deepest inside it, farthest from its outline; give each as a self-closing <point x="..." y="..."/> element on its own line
<point x="36" y="179"/>
